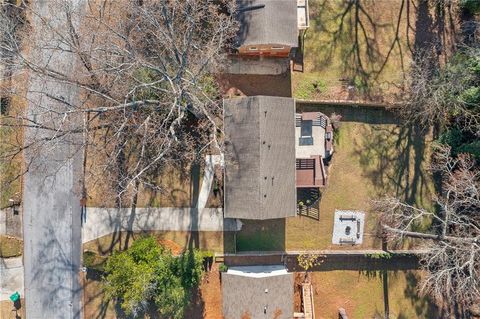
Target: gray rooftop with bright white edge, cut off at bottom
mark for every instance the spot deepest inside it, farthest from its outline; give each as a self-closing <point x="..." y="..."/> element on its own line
<point x="257" y="292"/>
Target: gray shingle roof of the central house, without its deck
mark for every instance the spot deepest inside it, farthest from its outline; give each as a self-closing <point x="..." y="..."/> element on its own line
<point x="260" y="157"/>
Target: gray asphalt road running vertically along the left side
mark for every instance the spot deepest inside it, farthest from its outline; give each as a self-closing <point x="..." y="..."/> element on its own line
<point x="51" y="201"/>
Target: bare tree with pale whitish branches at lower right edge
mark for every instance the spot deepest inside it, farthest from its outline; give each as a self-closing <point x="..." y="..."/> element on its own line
<point x="452" y="243"/>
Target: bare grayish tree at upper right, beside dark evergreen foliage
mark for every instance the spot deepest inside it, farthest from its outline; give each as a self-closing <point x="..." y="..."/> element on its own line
<point x="434" y="97"/>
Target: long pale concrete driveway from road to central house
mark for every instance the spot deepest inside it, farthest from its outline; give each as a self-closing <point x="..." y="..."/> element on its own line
<point x="103" y="221"/>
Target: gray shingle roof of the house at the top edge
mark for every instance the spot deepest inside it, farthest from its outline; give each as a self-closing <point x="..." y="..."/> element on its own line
<point x="267" y="22"/>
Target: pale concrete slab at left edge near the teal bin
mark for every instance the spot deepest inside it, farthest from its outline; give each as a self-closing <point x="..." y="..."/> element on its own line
<point x="11" y="277"/>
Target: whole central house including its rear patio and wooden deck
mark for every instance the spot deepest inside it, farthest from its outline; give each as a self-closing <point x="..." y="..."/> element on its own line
<point x="270" y="152"/>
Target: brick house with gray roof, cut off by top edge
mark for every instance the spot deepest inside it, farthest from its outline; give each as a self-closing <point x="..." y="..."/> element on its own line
<point x="270" y="27"/>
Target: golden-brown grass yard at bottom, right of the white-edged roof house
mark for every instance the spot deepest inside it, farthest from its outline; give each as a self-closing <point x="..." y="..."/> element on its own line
<point x="362" y="295"/>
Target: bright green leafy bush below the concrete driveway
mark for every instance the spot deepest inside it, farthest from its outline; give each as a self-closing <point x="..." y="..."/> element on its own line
<point x="148" y="274"/>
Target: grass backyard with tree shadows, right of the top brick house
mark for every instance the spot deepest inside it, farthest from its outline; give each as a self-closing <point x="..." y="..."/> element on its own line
<point x="374" y="62"/>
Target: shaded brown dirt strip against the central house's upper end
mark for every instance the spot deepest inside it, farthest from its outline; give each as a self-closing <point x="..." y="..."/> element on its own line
<point x="249" y="85"/>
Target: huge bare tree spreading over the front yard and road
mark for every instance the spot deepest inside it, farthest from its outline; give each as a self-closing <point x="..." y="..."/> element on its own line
<point x="144" y="76"/>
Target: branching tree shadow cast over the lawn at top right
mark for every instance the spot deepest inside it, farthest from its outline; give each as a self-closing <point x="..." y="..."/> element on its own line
<point x="370" y="42"/>
